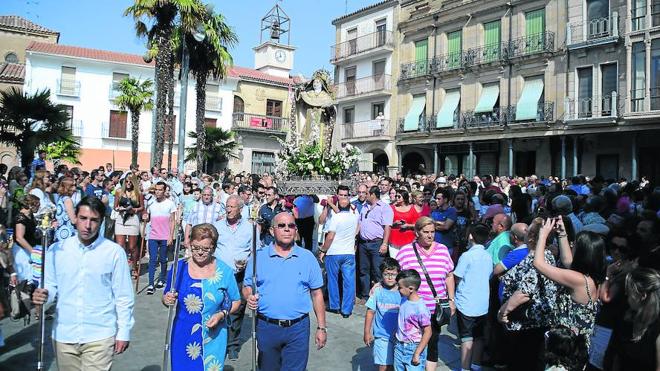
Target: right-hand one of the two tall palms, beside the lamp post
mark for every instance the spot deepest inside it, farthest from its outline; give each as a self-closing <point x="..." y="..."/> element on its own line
<point x="209" y="57"/>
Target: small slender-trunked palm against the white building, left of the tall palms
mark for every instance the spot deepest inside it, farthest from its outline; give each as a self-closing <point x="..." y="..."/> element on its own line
<point x="135" y="96"/>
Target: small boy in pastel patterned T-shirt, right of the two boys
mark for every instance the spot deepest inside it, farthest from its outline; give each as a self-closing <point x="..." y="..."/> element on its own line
<point x="413" y="325"/>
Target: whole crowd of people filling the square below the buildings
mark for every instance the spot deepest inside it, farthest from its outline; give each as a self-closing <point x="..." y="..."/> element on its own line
<point x="529" y="273"/>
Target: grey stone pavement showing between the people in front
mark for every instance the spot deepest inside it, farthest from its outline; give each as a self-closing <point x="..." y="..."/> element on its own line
<point x="344" y="350"/>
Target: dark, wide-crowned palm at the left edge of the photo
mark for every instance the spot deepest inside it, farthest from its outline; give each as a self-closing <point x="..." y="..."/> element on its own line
<point x="27" y="121"/>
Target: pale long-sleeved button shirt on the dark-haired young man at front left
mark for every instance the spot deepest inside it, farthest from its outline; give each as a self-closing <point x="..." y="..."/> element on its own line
<point x="93" y="288"/>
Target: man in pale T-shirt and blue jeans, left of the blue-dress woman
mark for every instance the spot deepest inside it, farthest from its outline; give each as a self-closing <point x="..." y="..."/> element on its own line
<point x="161" y="215"/>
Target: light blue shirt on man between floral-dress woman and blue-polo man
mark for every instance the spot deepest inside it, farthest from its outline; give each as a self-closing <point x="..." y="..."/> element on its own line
<point x="233" y="243"/>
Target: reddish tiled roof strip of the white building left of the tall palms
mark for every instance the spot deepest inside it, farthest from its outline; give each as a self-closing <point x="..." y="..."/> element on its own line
<point x="75" y="51"/>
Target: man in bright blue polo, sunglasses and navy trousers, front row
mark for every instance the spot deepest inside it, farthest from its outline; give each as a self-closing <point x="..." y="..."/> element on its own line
<point x="289" y="282"/>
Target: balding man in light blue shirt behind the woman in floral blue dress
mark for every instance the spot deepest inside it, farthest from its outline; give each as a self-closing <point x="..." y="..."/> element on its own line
<point x="233" y="248"/>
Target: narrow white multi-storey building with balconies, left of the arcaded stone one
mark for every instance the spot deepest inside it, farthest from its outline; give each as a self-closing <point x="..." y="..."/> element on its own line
<point x="365" y="78"/>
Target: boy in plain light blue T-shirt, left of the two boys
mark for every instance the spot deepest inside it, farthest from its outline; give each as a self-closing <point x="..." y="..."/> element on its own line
<point x="382" y="311"/>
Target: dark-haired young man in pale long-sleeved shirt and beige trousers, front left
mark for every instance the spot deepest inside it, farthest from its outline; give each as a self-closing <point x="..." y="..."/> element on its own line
<point x="90" y="277"/>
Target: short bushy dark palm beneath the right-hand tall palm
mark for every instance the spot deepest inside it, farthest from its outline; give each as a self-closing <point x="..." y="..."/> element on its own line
<point x="218" y="147"/>
